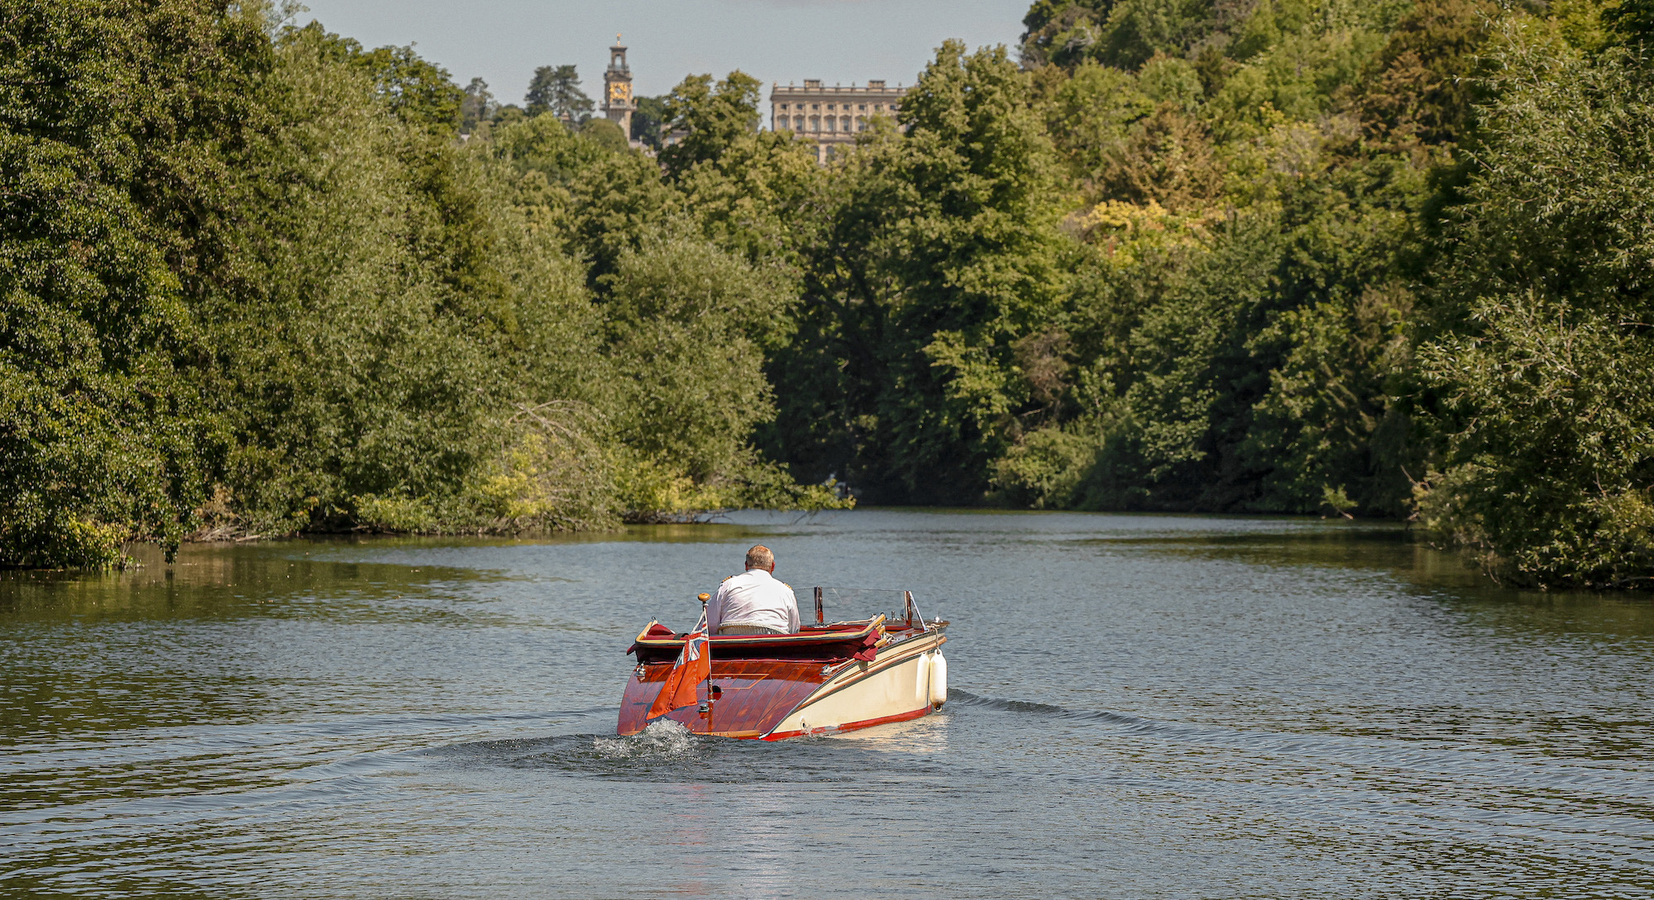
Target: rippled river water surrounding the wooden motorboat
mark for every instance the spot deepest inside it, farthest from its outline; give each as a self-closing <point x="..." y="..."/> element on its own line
<point x="1140" y="707"/>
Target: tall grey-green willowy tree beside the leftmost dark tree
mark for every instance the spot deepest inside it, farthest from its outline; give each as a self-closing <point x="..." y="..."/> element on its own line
<point x="376" y="398"/>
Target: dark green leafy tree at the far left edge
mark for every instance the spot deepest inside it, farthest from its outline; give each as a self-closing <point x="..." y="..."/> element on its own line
<point x="110" y="219"/>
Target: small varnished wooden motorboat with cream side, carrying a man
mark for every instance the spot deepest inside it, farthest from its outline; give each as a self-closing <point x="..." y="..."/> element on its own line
<point x="826" y="679"/>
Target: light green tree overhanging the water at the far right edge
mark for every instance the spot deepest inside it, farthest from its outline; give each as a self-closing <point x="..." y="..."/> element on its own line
<point x="1539" y="345"/>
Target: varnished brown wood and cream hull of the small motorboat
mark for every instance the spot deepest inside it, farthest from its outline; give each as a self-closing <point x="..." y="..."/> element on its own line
<point x="777" y="699"/>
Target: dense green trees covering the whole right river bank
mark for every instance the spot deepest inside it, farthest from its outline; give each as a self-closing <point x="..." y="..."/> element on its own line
<point x="1289" y="256"/>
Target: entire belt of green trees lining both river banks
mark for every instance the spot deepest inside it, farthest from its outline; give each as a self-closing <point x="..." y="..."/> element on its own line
<point x="1380" y="259"/>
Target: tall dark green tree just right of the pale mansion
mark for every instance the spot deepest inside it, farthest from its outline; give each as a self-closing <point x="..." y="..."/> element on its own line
<point x="939" y="254"/>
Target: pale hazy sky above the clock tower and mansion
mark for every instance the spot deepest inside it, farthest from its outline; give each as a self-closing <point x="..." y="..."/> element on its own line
<point x="773" y="41"/>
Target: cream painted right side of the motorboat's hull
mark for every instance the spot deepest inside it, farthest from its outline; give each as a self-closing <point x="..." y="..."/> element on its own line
<point x="891" y="689"/>
